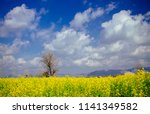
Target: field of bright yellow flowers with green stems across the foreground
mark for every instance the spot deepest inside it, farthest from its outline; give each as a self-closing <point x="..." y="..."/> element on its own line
<point x="123" y="85"/>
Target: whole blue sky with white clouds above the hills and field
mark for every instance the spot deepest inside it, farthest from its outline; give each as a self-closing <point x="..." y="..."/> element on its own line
<point x="84" y="35"/>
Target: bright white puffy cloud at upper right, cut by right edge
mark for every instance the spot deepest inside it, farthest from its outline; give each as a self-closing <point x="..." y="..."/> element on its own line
<point x="126" y="27"/>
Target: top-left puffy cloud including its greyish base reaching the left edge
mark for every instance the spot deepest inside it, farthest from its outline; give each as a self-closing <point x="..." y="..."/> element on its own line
<point x="18" y="20"/>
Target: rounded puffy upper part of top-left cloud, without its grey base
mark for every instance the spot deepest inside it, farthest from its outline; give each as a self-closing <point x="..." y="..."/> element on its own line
<point x="20" y="17"/>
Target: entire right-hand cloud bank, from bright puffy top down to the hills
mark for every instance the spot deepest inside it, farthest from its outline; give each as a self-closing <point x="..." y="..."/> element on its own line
<point x="125" y="42"/>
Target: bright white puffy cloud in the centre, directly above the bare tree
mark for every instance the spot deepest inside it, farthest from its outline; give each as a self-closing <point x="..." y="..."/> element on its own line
<point x="68" y="41"/>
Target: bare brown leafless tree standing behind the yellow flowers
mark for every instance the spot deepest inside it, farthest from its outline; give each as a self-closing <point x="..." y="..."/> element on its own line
<point x="50" y="62"/>
